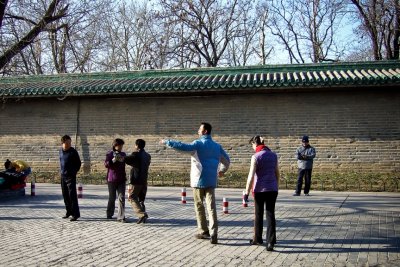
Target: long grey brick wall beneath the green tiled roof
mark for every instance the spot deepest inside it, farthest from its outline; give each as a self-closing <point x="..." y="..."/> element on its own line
<point x="351" y="130"/>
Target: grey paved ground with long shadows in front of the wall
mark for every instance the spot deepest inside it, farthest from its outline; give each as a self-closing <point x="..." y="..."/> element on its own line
<point x="325" y="229"/>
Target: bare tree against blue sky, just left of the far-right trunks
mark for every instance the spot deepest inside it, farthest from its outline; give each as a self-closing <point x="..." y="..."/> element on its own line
<point x="307" y="28"/>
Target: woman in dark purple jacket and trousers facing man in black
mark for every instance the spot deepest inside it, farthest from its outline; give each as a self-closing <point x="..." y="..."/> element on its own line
<point x="116" y="178"/>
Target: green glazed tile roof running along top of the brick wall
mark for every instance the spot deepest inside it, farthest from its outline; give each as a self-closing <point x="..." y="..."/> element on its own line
<point x="205" y="80"/>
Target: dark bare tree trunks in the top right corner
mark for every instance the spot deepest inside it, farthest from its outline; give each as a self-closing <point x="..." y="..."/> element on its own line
<point x="381" y="22"/>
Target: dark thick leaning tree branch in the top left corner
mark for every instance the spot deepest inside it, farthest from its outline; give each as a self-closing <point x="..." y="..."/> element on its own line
<point x="50" y="12"/>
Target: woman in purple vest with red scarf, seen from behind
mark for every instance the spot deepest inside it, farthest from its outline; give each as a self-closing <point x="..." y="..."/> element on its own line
<point x="263" y="181"/>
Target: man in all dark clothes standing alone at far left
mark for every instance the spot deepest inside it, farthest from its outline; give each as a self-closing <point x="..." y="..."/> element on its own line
<point x="70" y="163"/>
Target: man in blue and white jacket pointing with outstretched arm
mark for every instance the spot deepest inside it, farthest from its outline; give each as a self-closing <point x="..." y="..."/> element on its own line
<point x="206" y="156"/>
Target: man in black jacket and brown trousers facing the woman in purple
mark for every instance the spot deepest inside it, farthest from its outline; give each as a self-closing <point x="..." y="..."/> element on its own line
<point x="140" y="162"/>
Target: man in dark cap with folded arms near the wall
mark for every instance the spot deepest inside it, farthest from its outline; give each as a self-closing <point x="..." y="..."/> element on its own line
<point x="305" y="156"/>
